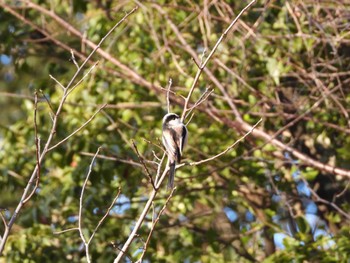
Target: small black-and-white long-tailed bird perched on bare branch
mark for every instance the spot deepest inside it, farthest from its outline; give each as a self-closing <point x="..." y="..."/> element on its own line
<point x="174" y="139"/>
